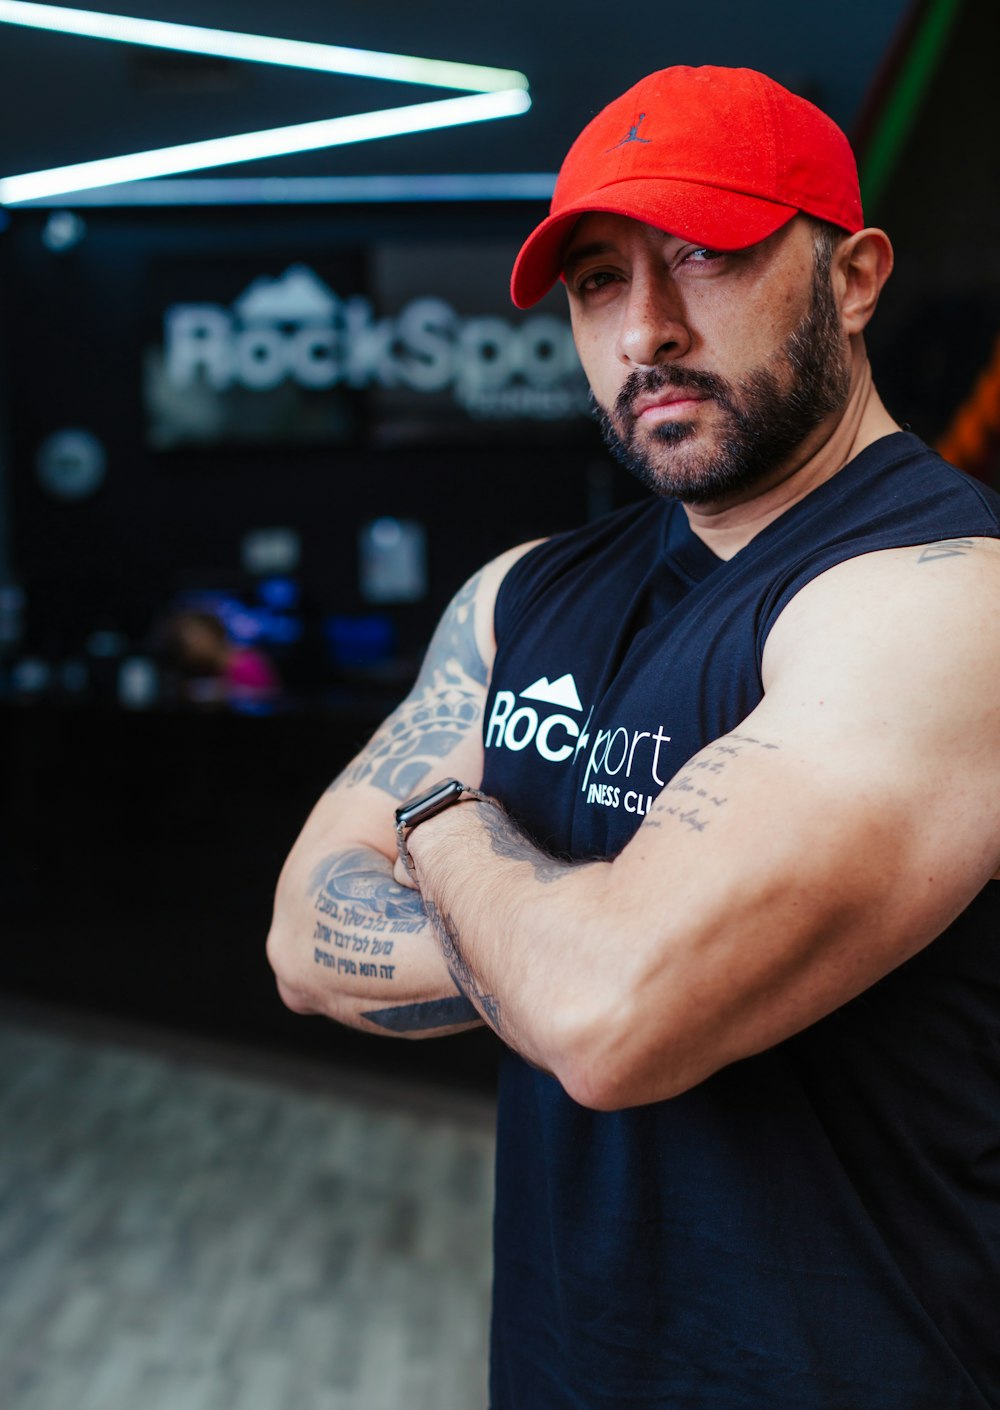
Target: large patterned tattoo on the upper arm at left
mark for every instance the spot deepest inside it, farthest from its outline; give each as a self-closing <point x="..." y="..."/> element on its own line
<point x="438" y="714"/>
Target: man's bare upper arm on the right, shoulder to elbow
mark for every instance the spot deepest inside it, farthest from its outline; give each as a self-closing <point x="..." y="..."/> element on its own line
<point x="840" y="830"/>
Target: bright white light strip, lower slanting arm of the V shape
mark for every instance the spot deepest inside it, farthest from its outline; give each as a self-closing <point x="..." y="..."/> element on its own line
<point x="277" y="142"/>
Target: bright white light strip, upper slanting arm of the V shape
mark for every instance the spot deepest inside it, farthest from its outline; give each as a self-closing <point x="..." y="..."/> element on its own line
<point x="257" y="49"/>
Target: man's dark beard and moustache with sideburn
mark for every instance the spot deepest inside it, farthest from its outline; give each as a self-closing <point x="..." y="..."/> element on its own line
<point x="767" y="414"/>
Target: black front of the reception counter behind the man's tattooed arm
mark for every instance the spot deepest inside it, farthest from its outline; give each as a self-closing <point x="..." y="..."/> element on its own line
<point x="139" y="857"/>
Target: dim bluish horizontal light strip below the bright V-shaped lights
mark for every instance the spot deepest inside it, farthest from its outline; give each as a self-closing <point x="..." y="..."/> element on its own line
<point x="310" y="191"/>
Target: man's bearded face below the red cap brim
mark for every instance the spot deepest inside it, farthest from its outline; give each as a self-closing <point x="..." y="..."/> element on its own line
<point x="712" y="370"/>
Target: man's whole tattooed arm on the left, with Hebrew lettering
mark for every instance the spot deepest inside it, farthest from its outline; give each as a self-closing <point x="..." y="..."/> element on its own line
<point x="348" y="941"/>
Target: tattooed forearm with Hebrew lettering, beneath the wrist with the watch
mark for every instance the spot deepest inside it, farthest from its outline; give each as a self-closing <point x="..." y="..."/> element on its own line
<point x="350" y="944"/>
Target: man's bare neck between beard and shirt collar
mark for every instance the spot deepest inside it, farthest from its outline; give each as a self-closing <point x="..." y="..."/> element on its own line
<point x="730" y="525"/>
